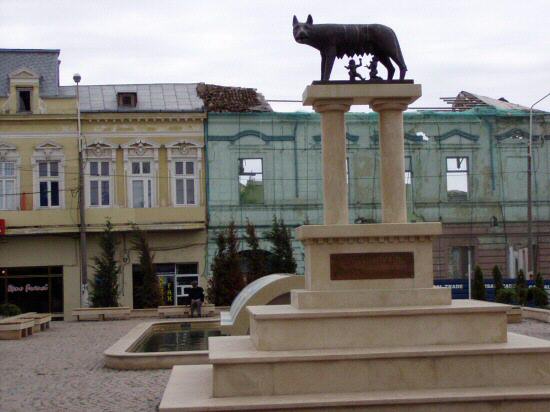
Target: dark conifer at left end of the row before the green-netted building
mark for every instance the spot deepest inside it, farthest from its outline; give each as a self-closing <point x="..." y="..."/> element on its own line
<point x="227" y="278"/>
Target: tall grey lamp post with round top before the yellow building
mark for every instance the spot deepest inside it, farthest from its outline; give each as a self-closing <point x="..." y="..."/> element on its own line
<point x="81" y="205"/>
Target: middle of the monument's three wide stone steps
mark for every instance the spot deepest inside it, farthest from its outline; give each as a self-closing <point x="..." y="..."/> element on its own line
<point x="240" y="370"/>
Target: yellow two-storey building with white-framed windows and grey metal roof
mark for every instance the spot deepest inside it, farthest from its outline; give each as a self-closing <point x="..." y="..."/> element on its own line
<point x="143" y="149"/>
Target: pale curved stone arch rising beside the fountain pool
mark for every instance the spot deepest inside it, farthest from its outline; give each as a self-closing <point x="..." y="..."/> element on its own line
<point x="270" y="289"/>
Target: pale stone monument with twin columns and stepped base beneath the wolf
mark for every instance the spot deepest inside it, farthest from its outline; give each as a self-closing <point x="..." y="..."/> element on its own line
<point x="369" y="332"/>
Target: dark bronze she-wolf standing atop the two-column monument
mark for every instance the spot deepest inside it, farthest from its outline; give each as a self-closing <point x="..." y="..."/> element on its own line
<point x="337" y="40"/>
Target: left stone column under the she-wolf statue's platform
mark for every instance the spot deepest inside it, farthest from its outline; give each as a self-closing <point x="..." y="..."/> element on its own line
<point x="335" y="187"/>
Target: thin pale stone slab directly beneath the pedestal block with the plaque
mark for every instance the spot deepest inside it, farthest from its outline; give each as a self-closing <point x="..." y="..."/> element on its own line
<point x="369" y="298"/>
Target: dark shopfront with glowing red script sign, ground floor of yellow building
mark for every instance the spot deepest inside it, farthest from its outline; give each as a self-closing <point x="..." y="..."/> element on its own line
<point x="33" y="289"/>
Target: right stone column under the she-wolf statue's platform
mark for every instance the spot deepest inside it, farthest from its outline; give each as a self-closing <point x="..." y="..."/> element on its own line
<point x="392" y="158"/>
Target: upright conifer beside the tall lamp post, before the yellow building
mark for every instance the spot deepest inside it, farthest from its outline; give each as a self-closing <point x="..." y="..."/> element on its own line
<point x="104" y="285"/>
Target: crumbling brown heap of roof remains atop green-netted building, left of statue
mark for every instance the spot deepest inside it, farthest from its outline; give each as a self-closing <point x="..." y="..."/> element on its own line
<point x="231" y="99"/>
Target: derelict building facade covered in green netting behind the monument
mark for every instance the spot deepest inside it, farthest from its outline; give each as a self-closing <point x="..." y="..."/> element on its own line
<point x="467" y="169"/>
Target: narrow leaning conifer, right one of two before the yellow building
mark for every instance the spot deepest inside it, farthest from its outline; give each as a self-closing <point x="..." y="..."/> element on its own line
<point x="148" y="294"/>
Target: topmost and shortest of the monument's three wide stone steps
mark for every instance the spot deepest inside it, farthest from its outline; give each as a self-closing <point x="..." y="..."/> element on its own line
<point x="284" y="327"/>
